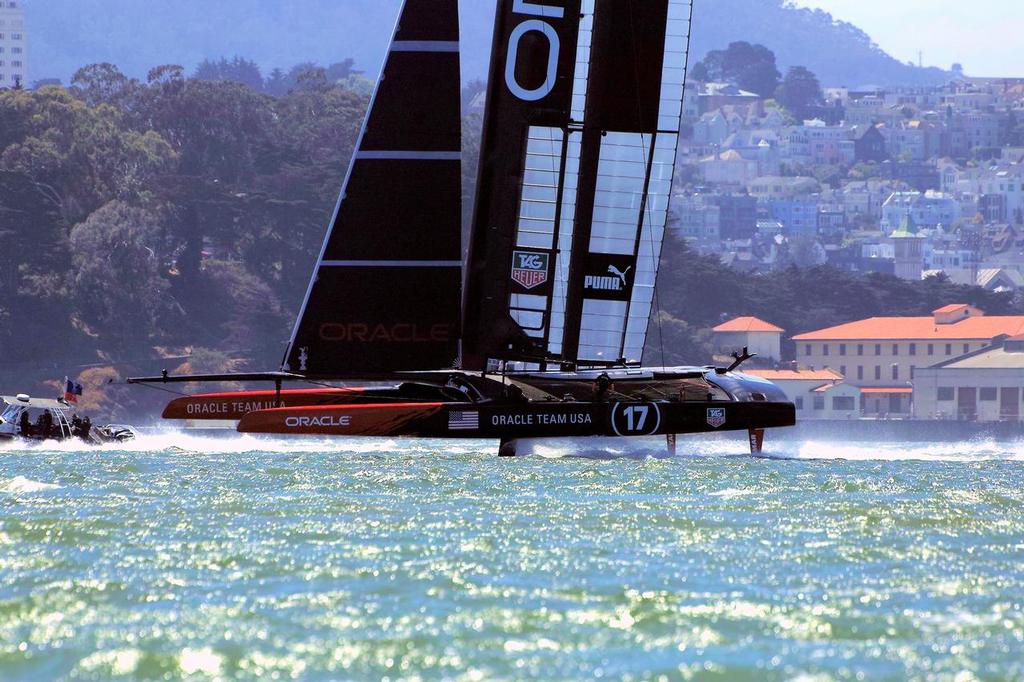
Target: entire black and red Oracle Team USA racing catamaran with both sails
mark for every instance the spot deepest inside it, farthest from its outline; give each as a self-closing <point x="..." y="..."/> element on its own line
<point x="540" y="331"/>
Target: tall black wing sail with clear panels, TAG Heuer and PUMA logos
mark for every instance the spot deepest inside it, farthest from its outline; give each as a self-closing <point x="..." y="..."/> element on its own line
<point x="577" y="167"/>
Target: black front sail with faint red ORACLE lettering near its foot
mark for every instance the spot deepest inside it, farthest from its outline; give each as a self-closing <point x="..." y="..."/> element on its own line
<point x="387" y="292"/>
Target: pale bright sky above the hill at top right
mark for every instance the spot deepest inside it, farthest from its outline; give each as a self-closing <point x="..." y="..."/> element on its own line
<point x="984" y="35"/>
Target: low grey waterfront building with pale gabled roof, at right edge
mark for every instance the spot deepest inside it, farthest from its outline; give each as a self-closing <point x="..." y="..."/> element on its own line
<point x="985" y="386"/>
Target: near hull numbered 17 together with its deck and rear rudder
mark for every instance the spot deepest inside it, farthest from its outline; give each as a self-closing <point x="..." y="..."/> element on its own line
<point x="636" y="403"/>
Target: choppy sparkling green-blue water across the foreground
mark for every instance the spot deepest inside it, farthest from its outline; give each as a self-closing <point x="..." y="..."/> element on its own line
<point x="261" y="560"/>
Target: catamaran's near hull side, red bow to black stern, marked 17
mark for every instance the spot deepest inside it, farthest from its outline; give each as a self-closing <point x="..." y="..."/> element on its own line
<point x="513" y="421"/>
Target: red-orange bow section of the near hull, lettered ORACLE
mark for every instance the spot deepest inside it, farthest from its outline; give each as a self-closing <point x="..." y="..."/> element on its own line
<point x="363" y="420"/>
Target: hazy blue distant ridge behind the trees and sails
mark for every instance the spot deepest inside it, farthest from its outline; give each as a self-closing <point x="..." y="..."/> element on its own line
<point x="68" y="34"/>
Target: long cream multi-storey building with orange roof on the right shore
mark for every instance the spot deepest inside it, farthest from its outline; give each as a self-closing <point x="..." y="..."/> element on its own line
<point x="886" y="353"/>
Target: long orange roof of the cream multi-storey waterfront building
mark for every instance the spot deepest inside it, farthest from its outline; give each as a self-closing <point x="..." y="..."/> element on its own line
<point x="898" y="329"/>
